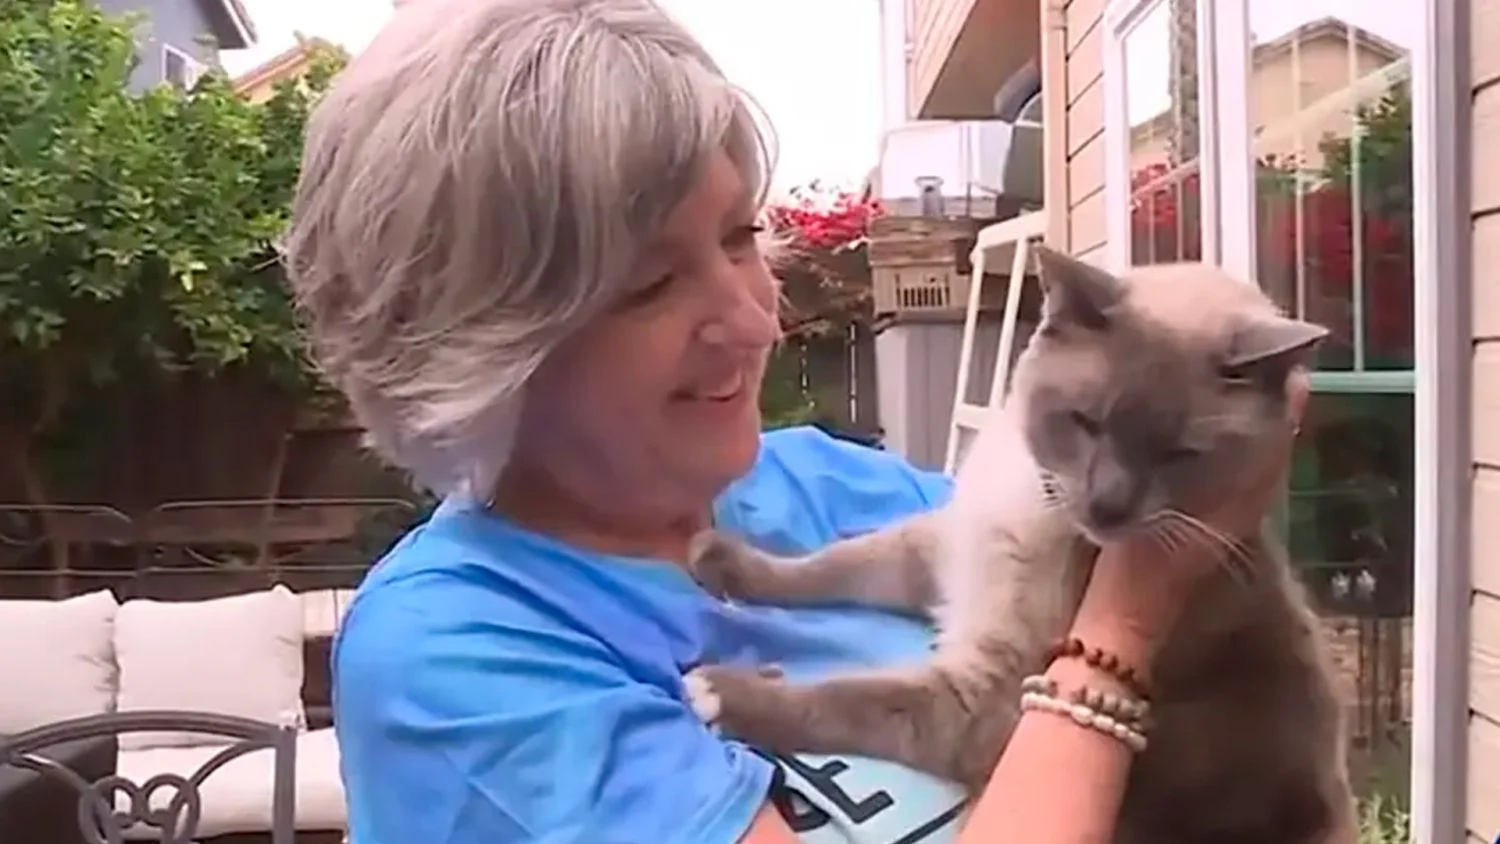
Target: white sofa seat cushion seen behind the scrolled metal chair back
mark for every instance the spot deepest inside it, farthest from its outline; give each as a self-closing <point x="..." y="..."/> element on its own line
<point x="238" y="798"/>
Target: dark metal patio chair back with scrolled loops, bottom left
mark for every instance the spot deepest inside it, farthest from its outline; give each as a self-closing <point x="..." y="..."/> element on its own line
<point x="106" y="819"/>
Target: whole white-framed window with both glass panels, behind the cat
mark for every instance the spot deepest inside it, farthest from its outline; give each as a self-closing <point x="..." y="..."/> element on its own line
<point x="1274" y="137"/>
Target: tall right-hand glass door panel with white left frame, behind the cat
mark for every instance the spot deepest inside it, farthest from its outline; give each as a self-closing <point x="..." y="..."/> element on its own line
<point x="1324" y="148"/>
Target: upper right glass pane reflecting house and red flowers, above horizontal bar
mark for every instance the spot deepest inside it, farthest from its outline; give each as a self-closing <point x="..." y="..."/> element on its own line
<point x="1333" y="119"/>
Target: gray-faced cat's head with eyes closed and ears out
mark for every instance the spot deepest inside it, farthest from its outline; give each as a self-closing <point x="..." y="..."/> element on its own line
<point x="1148" y="392"/>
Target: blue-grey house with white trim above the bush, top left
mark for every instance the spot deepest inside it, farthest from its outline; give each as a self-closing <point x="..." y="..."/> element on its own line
<point x="179" y="40"/>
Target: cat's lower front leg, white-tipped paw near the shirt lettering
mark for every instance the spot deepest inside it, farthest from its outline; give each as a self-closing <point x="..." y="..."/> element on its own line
<point x="926" y="717"/>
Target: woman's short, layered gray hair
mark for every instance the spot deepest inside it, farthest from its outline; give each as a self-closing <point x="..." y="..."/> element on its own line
<point x="473" y="190"/>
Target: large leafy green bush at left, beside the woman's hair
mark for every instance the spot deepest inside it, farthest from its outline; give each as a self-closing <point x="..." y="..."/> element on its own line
<point x="140" y="227"/>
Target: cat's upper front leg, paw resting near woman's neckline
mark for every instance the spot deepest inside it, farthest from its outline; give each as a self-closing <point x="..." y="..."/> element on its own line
<point x="890" y="569"/>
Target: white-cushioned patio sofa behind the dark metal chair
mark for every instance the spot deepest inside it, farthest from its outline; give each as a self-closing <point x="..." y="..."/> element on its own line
<point x="260" y="656"/>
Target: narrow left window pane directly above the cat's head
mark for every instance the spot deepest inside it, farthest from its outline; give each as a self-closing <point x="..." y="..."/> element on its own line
<point x="1162" y="109"/>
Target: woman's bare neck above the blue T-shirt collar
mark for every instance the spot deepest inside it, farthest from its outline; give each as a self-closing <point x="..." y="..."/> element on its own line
<point x="536" y="501"/>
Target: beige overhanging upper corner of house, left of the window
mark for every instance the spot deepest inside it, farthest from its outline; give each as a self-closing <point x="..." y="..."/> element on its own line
<point x="962" y="52"/>
